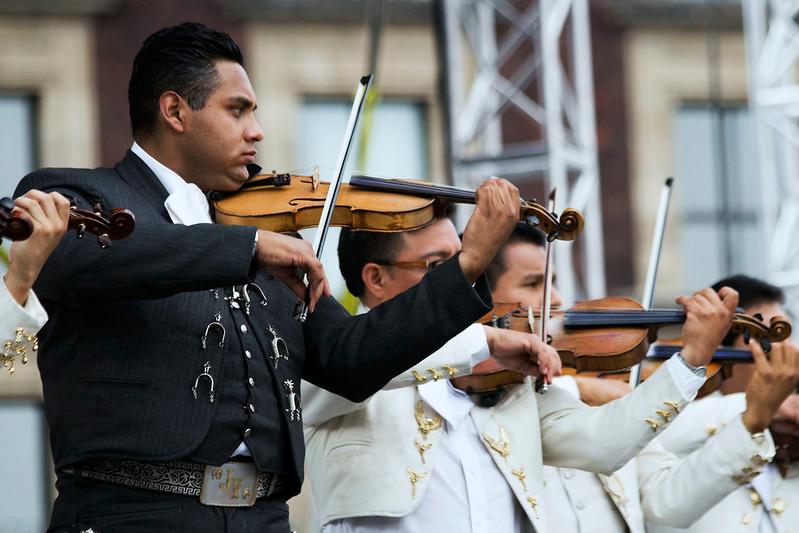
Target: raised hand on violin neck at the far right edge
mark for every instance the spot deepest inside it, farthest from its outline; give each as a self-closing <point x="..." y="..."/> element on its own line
<point x="774" y="380"/>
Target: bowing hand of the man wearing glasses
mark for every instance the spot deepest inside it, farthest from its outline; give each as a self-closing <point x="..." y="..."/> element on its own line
<point x="523" y="352"/>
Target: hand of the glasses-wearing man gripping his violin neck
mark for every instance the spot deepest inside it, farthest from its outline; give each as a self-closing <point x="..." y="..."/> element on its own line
<point x="708" y="319"/>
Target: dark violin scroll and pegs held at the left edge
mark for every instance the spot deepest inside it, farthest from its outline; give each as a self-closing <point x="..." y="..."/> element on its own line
<point x="118" y="226"/>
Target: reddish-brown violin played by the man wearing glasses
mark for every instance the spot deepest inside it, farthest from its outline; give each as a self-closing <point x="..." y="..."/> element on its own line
<point x="605" y="335"/>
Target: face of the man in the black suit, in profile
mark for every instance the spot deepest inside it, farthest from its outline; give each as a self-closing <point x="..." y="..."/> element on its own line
<point x="220" y="138"/>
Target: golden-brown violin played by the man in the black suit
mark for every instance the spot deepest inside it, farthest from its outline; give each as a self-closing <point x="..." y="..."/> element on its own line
<point x="288" y="203"/>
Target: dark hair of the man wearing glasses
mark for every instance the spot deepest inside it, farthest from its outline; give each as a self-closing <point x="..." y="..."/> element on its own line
<point x="357" y="248"/>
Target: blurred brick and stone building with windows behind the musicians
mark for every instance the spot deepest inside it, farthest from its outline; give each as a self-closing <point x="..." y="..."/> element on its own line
<point x="668" y="86"/>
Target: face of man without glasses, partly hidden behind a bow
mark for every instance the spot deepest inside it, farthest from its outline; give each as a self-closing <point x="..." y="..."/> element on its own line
<point x="523" y="279"/>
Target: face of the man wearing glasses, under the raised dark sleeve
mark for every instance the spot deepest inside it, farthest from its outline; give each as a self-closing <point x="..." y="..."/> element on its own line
<point x="436" y="242"/>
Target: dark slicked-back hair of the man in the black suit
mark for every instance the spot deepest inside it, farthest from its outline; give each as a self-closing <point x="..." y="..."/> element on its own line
<point x="181" y="59"/>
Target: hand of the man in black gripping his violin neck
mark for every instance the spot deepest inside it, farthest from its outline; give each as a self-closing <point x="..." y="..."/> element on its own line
<point x="491" y="224"/>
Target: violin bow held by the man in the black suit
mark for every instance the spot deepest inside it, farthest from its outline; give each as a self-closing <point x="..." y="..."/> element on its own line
<point x="301" y="313"/>
